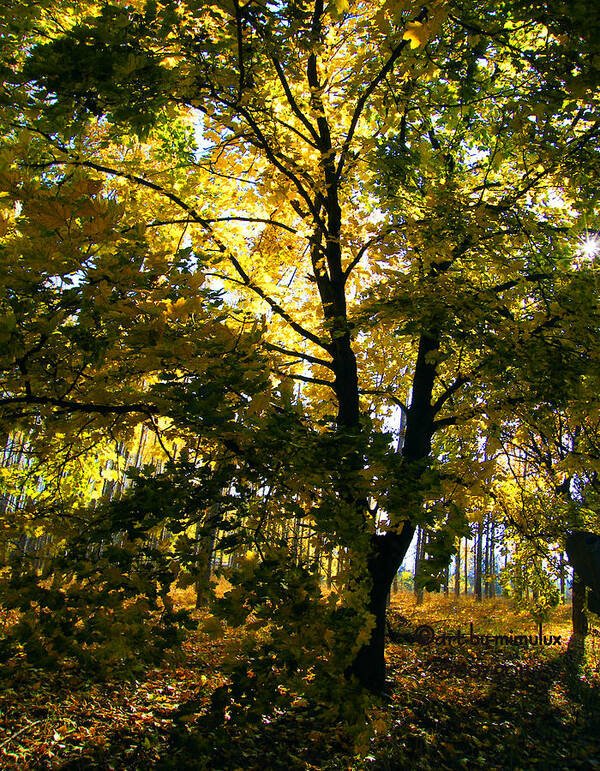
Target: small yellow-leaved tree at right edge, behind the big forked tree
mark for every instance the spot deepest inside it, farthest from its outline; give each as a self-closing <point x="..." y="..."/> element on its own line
<point x="549" y="489"/>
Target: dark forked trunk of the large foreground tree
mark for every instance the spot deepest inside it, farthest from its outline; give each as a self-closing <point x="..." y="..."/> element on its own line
<point x="386" y="550"/>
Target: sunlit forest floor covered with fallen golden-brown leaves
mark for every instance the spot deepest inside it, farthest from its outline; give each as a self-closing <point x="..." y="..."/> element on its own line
<point x="465" y="704"/>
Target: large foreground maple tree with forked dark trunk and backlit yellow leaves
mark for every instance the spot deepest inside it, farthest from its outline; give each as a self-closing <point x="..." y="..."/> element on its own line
<point x="394" y="189"/>
